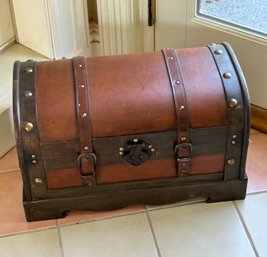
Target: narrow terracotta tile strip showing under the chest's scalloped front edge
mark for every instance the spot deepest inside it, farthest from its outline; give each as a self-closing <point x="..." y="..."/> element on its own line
<point x="76" y="217"/>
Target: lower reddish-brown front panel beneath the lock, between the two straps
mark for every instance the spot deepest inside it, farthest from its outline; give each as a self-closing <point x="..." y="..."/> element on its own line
<point x="126" y="172"/>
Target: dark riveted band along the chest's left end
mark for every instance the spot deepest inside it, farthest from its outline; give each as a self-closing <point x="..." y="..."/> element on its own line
<point x="28" y="142"/>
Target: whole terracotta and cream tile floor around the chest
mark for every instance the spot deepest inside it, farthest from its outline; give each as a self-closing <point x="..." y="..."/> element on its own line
<point x="186" y="229"/>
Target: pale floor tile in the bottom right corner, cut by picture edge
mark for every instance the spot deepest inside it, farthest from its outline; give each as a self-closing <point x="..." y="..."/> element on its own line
<point x="254" y="212"/>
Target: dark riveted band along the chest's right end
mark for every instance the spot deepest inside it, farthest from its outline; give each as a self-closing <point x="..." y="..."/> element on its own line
<point x="235" y="110"/>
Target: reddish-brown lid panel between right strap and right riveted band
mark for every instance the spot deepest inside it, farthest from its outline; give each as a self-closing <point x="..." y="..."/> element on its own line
<point x="204" y="88"/>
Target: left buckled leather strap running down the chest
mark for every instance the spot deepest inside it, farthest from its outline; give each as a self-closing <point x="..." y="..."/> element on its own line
<point x="86" y="158"/>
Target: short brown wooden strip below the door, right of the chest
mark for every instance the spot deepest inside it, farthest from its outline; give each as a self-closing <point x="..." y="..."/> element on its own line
<point x="259" y="118"/>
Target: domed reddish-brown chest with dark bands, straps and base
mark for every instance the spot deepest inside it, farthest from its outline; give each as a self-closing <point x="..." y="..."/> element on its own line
<point x="102" y="133"/>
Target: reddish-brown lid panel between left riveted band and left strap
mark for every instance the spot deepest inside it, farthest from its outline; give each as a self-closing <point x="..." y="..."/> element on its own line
<point x="55" y="101"/>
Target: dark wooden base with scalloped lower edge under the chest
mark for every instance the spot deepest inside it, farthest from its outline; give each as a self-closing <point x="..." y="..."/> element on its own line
<point x="213" y="191"/>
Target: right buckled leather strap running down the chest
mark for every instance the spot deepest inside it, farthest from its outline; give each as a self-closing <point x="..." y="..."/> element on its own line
<point x="183" y="147"/>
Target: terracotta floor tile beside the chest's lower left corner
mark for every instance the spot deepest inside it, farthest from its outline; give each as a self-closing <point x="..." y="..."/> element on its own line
<point x="12" y="218"/>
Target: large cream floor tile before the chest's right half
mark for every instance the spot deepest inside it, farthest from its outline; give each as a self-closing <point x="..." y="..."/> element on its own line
<point x="200" y="230"/>
